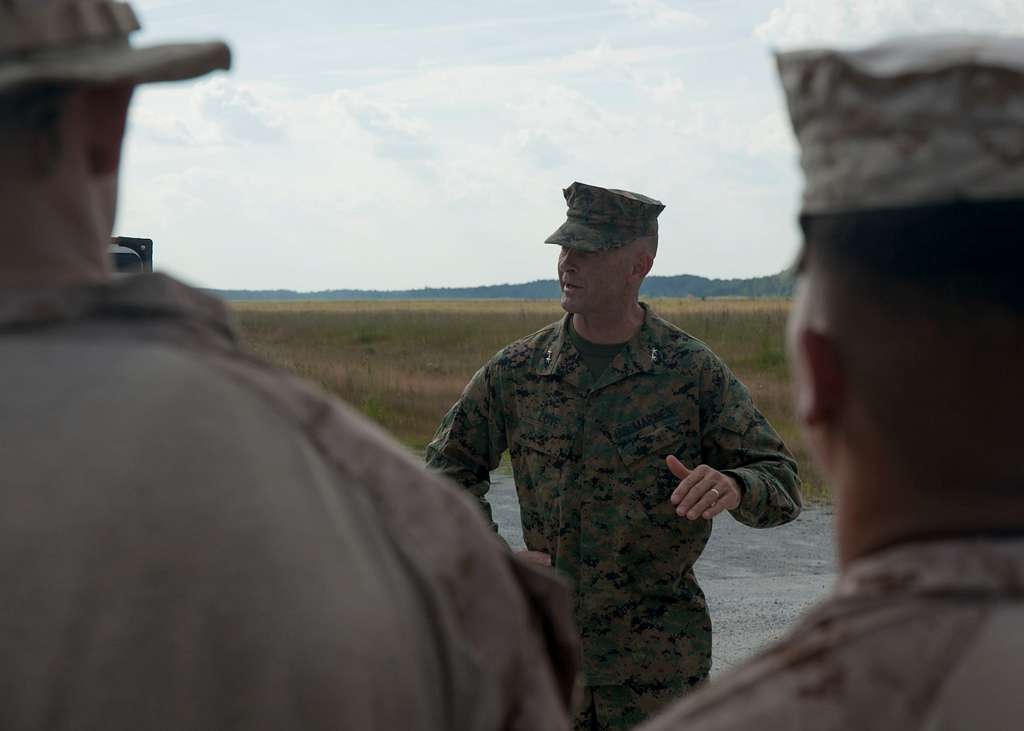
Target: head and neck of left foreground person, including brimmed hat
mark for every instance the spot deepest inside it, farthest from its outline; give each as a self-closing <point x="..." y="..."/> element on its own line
<point x="68" y="71"/>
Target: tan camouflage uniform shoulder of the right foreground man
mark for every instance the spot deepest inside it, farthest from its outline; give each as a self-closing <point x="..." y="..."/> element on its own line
<point x="923" y="636"/>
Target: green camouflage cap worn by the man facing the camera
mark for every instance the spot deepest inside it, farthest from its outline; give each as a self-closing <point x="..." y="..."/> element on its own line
<point x="603" y="219"/>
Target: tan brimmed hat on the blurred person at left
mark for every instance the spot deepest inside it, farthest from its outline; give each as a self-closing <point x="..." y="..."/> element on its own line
<point x="87" y="42"/>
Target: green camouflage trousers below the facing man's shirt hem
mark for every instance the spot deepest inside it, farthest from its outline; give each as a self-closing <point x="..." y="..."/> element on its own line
<point x="615" y="708"/>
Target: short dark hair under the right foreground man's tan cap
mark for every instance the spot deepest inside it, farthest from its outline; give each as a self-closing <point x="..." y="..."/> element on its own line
<point x="962" y="253"/>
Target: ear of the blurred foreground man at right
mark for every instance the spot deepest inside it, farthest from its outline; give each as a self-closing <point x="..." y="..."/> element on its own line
<point x="822" y="386"/>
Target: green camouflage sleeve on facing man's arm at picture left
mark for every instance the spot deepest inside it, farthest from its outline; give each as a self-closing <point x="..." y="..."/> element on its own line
<point x="472" y="439"/>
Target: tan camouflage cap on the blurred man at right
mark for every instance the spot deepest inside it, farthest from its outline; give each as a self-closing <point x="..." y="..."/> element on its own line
<point x="917" y="121"/>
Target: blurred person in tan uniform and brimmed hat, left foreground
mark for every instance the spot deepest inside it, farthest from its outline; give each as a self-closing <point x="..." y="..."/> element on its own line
<point x="189" y="538"/>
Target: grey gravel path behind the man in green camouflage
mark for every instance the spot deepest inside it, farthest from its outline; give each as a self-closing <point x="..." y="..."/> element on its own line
<point x="757" y="582"/>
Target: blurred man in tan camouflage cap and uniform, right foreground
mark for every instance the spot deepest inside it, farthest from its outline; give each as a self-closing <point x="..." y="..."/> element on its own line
<point x="908" y="346"/>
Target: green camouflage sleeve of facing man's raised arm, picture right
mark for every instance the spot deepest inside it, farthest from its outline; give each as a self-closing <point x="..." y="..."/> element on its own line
<point x="738" y="441"/>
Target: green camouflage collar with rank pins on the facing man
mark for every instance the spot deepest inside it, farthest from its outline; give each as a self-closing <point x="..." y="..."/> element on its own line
<point x="643" y="354"/>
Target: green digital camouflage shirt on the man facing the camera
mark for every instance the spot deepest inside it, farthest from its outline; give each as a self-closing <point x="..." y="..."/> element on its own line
<point x="589" y="464"/>
